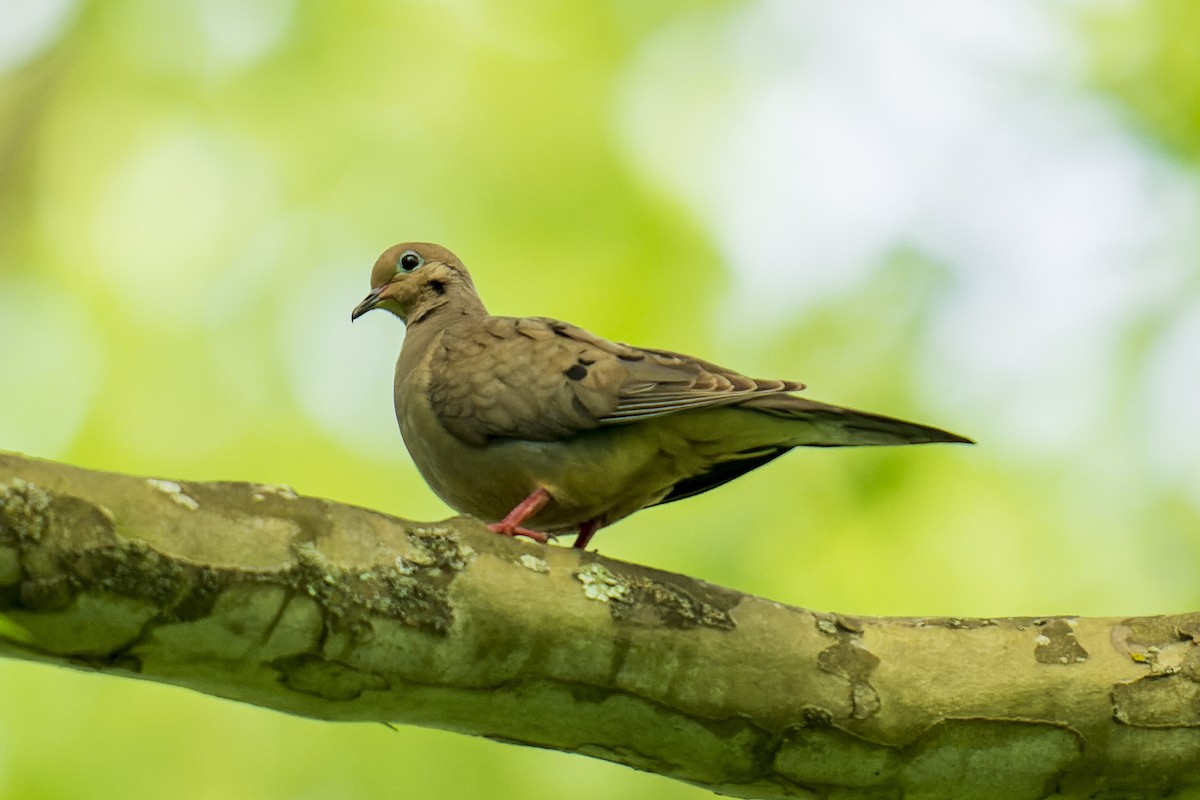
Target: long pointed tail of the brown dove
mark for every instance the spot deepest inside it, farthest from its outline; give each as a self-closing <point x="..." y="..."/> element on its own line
<point x="832" y="426"/>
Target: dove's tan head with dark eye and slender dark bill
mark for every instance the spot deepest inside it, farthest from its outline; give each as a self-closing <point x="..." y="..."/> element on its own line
<point x="412" y="280"/>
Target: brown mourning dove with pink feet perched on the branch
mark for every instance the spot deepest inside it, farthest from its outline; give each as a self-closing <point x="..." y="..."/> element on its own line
<point x="541" y="429"/>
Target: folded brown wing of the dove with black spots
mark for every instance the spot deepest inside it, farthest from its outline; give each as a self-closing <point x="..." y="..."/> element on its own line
<point x="543" y="380"/>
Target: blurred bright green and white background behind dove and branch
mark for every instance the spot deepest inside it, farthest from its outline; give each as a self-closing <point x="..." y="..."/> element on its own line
<point x="980" y="216"/>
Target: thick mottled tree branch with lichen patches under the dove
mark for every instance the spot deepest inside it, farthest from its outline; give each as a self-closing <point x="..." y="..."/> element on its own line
<point x="328" y="611"/>
